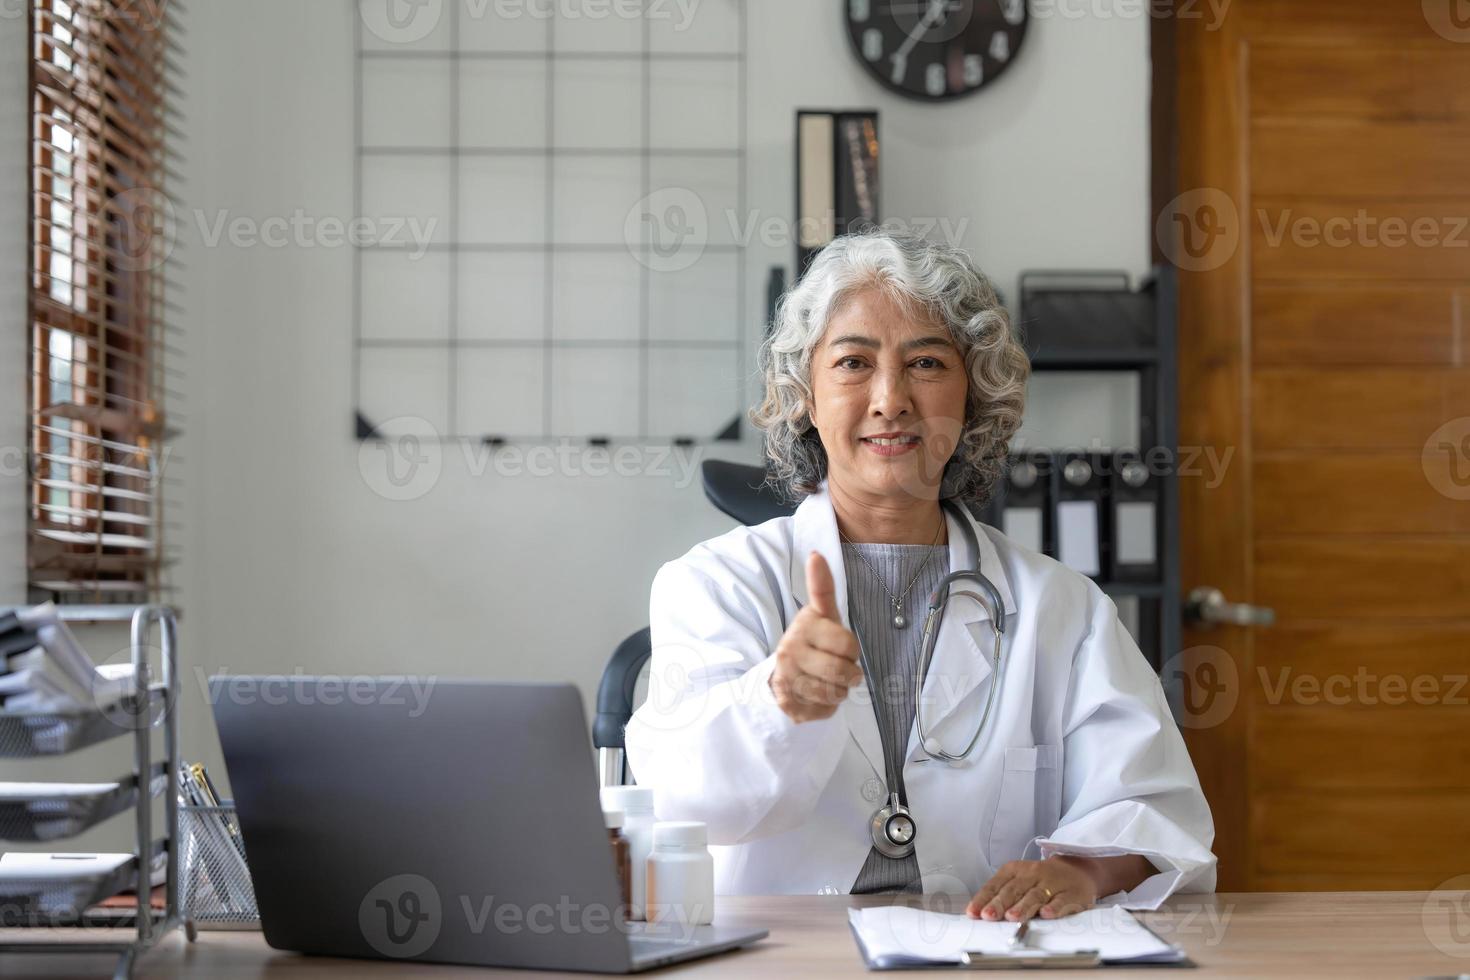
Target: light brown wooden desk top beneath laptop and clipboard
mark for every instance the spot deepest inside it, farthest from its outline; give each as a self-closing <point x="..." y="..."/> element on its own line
<point x="1247" y="935"/>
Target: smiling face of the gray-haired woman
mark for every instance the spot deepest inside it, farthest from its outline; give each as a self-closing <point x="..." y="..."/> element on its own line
<point x="889" y="390"/>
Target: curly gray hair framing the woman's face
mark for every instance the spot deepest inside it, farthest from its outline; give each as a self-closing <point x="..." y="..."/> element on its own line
<point x="933" y="280"/>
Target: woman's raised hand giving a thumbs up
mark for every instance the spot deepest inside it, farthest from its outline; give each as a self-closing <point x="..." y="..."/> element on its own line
<point x="818" y="657"/>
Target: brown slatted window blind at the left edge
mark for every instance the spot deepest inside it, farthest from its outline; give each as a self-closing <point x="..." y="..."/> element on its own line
<point x="102" y="231"/>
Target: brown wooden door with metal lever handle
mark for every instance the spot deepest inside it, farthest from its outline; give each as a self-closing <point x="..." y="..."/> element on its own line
<point x="1324" y="165"/>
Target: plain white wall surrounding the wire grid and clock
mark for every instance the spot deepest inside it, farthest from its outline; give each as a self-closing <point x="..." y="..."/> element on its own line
<point x="295" y="563"/>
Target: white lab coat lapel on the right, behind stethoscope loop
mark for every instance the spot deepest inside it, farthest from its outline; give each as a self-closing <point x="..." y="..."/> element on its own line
<point x="962" y="655"/>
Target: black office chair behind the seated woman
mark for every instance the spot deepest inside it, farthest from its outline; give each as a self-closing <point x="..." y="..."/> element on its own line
<point x="736" y="490"/>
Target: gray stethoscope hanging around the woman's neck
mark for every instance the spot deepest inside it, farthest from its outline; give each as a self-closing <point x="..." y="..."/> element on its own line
<point x="893" y="825"/>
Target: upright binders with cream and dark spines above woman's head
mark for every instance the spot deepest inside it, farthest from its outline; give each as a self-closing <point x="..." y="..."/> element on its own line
<point x="837" y="179"/>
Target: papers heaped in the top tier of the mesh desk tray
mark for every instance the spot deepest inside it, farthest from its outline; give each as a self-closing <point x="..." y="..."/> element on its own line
<point x="43" y="669"/>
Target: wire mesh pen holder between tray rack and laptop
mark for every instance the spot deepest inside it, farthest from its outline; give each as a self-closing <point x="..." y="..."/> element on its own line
<point x="215" y="882"/>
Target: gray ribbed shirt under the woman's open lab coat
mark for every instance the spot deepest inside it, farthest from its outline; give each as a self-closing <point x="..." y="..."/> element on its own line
<point x="893" y="656"/>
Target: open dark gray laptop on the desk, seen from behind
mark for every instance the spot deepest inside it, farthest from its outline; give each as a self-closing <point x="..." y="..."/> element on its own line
<point x="433" y="821"/>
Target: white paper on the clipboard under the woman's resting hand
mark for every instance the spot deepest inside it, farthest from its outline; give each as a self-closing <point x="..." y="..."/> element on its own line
<point x="894" y="937"/>
